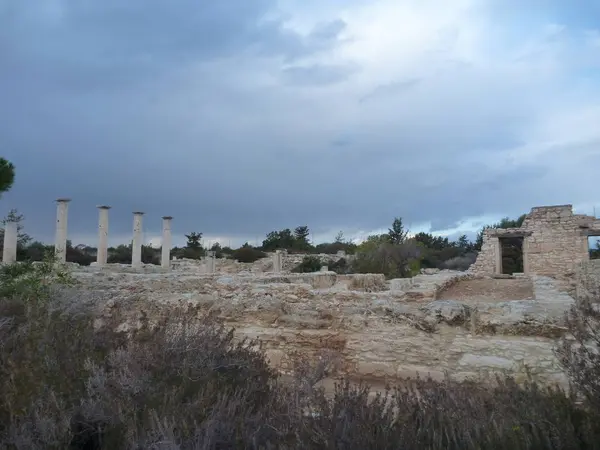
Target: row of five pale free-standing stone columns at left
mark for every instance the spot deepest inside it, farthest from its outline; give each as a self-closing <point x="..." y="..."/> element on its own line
<point x="9" y="253"/>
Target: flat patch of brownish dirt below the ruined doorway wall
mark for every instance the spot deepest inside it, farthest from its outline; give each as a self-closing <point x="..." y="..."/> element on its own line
<point x="489" y="290"/>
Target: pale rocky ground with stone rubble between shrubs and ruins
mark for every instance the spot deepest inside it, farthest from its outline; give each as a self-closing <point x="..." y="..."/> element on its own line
<point x="379" y="330"/>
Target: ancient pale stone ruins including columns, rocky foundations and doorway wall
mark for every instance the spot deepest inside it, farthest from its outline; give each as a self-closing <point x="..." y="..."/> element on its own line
<point x="466" y="324"/>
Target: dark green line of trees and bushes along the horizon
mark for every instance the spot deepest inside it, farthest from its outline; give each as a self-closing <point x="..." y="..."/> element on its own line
<point x="395" y="253"/>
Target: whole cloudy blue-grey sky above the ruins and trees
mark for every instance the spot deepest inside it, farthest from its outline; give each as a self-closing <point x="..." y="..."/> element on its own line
<point x="240" y="117"/>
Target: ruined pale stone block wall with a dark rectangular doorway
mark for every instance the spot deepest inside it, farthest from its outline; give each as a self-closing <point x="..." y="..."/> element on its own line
<point x="554" y="242"/>
